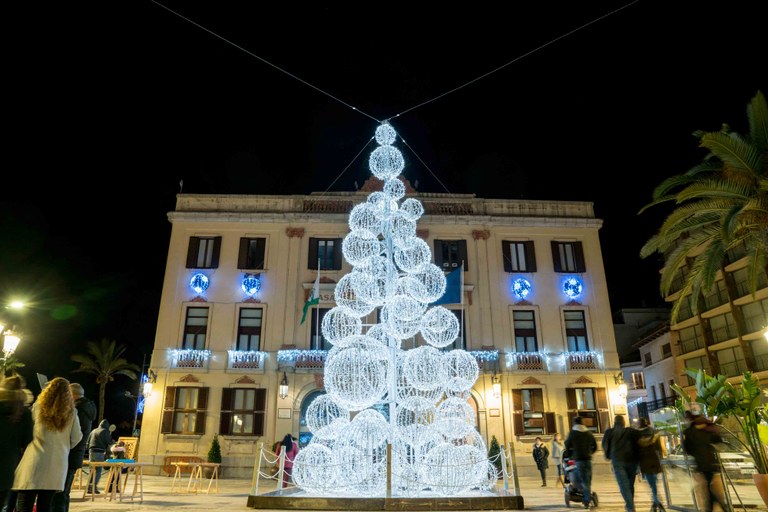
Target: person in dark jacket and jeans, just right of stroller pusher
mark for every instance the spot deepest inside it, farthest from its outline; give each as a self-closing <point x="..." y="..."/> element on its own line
<point x="620" y="445"/>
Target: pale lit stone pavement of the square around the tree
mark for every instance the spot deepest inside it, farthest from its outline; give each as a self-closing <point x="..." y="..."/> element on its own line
<point x="233" y="496"/>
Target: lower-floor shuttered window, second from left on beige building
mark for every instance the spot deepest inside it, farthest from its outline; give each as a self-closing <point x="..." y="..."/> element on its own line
<point x="243" y="411"/>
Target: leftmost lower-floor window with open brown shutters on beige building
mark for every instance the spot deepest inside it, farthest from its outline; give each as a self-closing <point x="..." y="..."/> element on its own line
<point x="184" y="410"/>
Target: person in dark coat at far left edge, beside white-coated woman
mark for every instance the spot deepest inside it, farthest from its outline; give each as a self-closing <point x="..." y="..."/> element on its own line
<point x="15" y="433"/>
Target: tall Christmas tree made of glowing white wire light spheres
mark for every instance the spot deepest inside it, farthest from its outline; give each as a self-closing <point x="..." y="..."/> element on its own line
<point x="435" y="446"/>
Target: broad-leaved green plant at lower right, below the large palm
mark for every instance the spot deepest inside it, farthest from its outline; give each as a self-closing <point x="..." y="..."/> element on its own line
<point x="742" y="402"/>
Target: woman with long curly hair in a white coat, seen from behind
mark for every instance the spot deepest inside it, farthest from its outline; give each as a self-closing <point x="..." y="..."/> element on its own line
<point x="43" y="467"/>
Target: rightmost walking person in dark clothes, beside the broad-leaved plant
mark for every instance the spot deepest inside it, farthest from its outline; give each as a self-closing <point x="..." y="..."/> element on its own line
<point x="699" y="439"/>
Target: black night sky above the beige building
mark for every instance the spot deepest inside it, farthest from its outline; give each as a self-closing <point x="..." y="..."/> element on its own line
<point x="110" y="105"/>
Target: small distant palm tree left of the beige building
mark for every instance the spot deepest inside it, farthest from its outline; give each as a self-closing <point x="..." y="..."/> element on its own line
<point x="103" y="360"/>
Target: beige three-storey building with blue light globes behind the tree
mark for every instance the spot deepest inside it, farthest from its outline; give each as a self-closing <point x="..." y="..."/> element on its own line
<point x="535" y="314"/>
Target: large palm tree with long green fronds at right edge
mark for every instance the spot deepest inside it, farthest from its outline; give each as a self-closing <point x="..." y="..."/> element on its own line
<point x="721" y="203"/>
